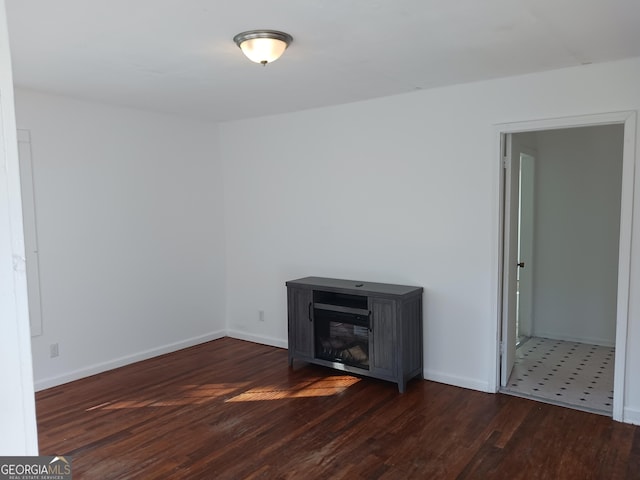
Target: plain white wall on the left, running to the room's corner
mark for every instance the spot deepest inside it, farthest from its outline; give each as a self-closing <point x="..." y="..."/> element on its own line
<point x="129" y="220"/>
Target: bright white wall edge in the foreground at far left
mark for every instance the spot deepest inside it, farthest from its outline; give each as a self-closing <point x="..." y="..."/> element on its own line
<point x="17" y="407"/>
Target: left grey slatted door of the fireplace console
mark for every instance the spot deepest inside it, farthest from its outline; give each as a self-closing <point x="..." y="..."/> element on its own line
<point x="300" y="302"/>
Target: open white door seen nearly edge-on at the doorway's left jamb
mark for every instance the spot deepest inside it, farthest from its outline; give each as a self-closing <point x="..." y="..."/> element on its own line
<point x="510" y="260"/>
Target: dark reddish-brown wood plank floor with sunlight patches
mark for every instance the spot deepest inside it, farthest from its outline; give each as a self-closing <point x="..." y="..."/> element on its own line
<point x="234" y="409"/>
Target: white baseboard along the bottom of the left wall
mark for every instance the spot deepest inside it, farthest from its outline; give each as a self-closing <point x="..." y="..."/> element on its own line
<point x="126" y="360"/>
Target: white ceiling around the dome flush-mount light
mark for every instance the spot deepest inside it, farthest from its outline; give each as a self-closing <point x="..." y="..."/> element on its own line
<point x="177" y="56"/>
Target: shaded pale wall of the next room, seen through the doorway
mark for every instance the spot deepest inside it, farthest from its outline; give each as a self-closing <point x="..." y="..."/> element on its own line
<point x="578" y="185"/>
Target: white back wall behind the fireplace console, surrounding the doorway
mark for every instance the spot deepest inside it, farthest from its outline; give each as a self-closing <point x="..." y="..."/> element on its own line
<point x="402" y="189"/>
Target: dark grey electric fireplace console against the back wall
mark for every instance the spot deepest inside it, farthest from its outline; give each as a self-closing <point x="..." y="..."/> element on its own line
<point x="371" y="329"/>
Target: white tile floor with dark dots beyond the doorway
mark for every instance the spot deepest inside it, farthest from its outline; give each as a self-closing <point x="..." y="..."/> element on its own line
<point x="567" y="373"/>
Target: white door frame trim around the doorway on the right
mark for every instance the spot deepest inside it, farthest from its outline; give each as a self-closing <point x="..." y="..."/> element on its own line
<point x="628" y="119"/>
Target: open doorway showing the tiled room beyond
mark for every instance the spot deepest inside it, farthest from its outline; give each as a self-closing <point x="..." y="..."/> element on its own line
<point x="565" y="250"/>
